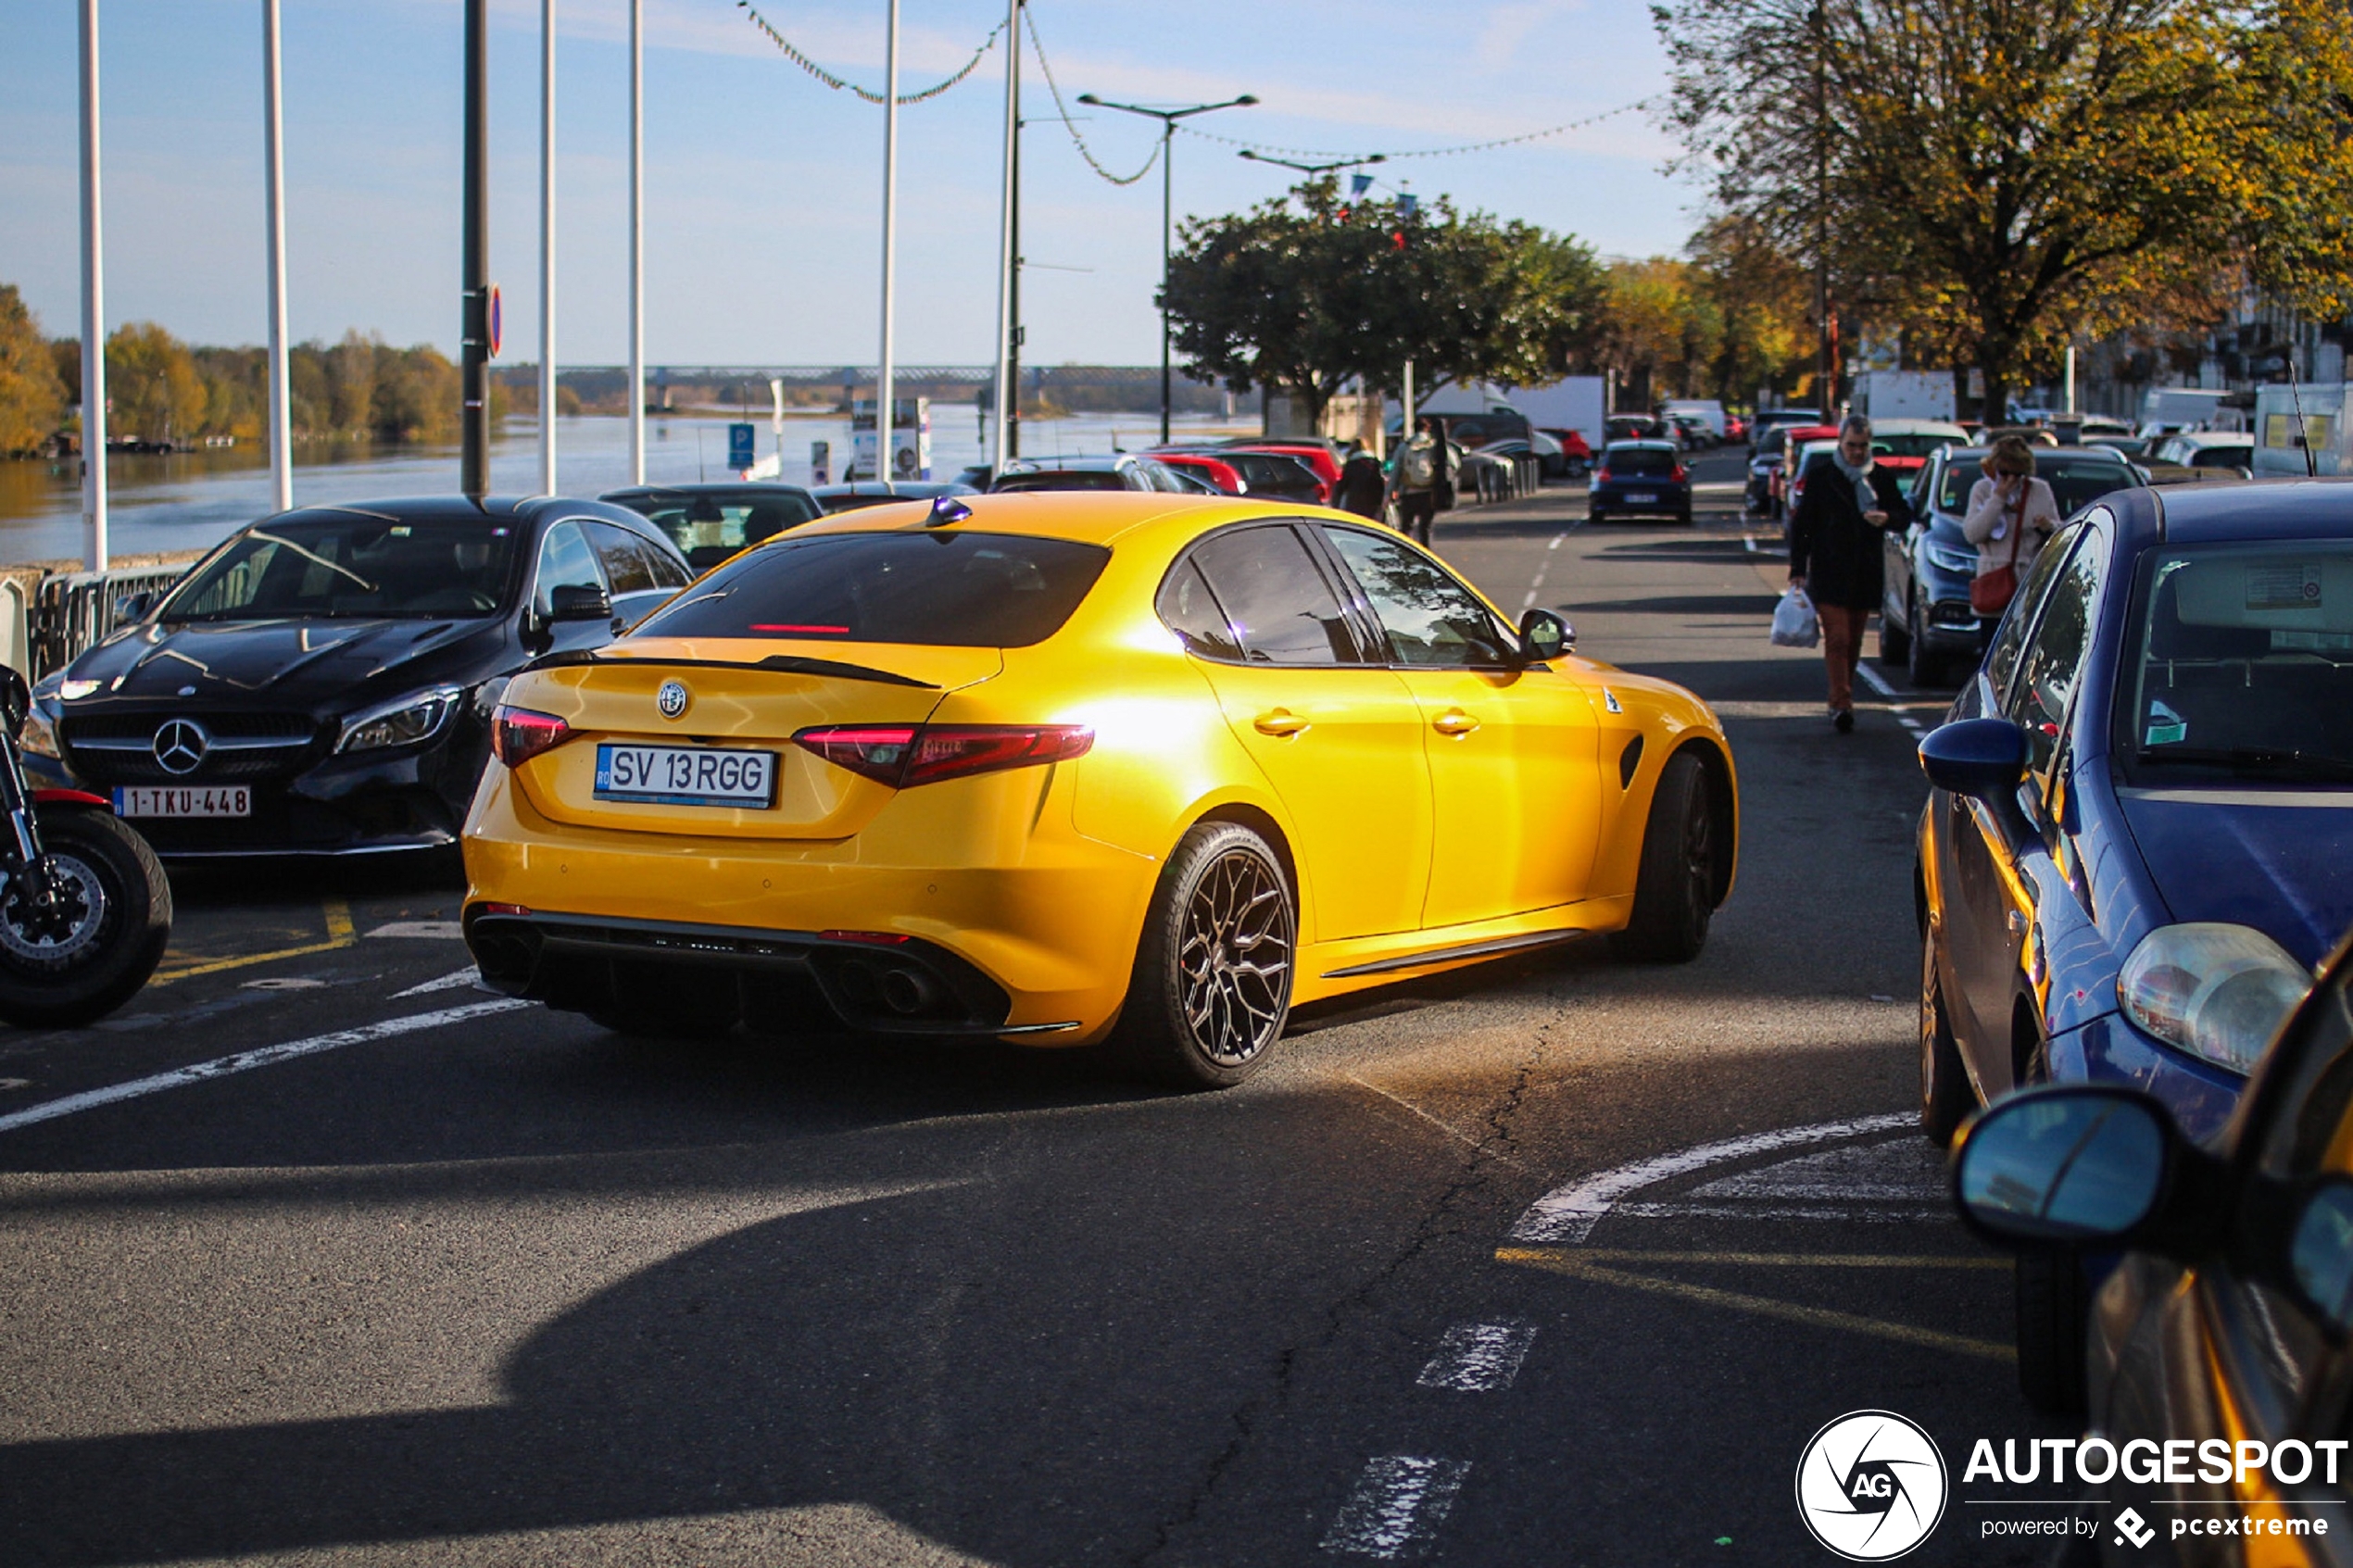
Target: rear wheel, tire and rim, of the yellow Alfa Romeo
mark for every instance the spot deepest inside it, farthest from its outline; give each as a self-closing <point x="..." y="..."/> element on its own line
<point x="1213" y="981"/>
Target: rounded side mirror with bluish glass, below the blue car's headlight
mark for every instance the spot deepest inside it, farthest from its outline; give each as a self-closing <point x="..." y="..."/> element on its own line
<point x="2072" y="1165"/>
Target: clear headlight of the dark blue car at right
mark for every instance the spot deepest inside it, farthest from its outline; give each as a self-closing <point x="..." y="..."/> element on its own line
<point x="2211" y="989"/>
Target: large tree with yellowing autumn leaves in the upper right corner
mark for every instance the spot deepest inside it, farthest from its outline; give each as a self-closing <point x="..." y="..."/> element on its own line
<point x="2013" y="177"/>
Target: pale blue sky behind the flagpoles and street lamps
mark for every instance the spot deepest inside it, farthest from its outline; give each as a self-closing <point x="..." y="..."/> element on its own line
<point x="764" y="187"/>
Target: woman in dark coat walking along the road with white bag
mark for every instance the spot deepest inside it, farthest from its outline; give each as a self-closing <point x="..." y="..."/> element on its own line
<point x="1837" y="542"/>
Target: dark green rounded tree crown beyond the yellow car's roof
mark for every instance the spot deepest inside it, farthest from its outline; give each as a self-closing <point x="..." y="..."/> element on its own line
<point x="1309" y="293"/>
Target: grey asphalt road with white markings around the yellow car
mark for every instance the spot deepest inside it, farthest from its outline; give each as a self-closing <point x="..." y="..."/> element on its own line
<point x="1557" y="1261"/>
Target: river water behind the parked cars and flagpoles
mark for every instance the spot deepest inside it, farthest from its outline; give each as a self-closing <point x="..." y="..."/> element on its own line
<point x="194" y="500"/>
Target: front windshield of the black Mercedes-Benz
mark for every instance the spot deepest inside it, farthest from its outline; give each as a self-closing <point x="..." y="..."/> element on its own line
<point x="352" y="565"/>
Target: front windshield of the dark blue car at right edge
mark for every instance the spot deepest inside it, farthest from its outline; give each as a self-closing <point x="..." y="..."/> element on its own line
<point x="2241" y="662"/>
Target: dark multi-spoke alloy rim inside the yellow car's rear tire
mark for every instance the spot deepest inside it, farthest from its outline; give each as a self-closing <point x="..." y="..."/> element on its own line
<point x="1234" y="958"/>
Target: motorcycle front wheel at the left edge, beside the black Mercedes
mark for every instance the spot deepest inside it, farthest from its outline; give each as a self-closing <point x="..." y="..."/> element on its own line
<point x="124" y="920"/>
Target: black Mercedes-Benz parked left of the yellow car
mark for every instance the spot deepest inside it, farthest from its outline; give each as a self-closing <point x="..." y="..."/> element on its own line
<point x="321" y="683"/>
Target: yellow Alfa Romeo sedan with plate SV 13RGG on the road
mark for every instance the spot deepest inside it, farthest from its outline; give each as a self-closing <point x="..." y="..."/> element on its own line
<point x="1079" y="768"/>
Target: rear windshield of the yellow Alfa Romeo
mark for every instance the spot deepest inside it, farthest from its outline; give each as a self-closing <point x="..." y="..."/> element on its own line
<point x="933" y="589"/>
